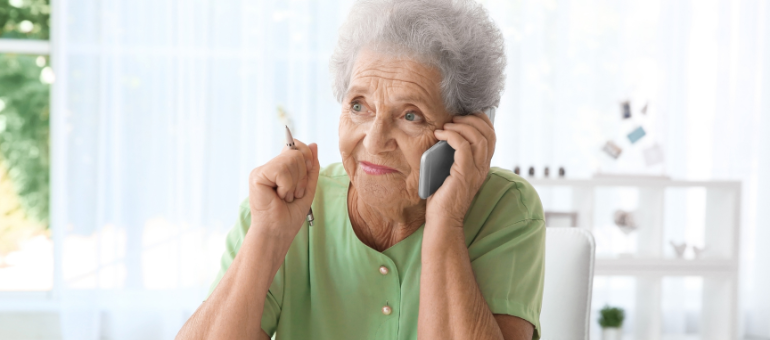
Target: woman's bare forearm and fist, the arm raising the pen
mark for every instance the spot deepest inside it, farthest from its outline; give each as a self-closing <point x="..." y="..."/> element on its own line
<point x="280" y="193"/>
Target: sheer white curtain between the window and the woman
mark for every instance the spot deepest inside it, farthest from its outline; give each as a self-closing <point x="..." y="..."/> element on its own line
<point x="162" y="109"/>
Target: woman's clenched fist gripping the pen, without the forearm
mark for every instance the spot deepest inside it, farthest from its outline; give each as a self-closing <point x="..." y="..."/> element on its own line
<point x="281" y="191"/>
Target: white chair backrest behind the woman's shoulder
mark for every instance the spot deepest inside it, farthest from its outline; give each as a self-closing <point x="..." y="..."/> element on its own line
<point x="569" y="272"/>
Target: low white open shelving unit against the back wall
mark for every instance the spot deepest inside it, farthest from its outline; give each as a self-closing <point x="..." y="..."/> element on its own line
<point x="646" y="254"/>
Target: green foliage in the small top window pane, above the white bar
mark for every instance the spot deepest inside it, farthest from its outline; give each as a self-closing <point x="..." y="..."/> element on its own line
<point x="25" y="19"/>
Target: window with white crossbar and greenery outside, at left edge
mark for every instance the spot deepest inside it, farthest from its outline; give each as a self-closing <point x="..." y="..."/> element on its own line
<point x="26" y="249"/>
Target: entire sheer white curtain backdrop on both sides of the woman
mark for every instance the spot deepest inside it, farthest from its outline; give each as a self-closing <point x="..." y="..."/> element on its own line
<point x="161" y="108"/>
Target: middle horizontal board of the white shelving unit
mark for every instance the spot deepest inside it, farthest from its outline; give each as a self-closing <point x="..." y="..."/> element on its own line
<point x="665" y="267"/>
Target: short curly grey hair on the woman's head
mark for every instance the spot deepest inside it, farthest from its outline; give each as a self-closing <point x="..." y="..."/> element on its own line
<point x="455" y="36"/>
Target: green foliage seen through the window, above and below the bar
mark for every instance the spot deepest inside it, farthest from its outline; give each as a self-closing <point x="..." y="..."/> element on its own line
<point x="24" y="127"/>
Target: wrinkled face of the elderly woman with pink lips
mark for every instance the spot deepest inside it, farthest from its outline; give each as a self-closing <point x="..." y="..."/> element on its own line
<point x="388" y="116"/>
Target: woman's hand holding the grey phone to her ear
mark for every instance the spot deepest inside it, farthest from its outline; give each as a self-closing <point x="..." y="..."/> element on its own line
<point x="473" y="138"/>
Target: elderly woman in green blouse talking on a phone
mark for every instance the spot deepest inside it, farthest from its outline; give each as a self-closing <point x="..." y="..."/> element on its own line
<point x="379" y="262"/>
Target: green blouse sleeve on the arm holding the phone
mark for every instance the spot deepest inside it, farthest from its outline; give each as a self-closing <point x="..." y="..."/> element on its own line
<point x="508" y="256"/>
